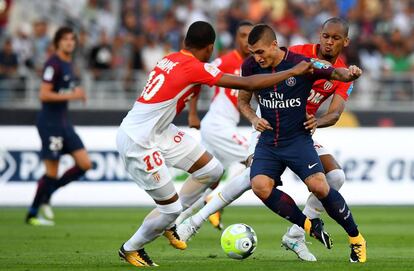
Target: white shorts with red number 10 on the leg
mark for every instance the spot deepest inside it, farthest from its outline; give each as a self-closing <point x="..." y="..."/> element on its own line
<point x="148" y="167"/>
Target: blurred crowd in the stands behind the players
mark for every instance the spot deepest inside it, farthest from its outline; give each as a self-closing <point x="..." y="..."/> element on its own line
<point x="120" y="41"/>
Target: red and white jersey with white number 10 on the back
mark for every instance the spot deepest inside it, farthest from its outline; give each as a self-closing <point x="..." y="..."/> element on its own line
<point x="174" y="80"/>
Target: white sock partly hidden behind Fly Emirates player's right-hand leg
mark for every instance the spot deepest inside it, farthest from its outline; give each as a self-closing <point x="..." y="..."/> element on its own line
<point x="314" y="207"/>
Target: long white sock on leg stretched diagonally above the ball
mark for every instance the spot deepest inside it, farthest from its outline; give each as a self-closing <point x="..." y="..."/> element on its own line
<point x="231" y="191"/>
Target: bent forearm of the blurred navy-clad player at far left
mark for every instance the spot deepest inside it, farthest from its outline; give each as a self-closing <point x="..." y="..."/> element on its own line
<point x="47" y="94"/>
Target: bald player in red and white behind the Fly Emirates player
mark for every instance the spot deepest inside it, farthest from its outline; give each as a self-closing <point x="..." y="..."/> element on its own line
<point x="333" y="38"/>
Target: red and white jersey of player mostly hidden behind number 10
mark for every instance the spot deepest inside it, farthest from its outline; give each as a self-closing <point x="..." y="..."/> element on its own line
<point x="223" y="107"/>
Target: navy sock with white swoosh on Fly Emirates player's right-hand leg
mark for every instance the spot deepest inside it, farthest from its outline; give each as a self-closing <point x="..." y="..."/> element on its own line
<point x="337" y="208"/>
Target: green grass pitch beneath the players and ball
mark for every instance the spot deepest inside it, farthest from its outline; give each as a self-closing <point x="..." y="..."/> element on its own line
<point x="88" y="239"/>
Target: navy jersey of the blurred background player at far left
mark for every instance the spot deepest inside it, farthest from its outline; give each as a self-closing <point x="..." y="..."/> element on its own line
<point x="60" y="74"/>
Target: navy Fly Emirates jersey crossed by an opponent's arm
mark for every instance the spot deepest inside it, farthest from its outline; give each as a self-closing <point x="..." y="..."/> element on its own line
<point x="284" y="104"/>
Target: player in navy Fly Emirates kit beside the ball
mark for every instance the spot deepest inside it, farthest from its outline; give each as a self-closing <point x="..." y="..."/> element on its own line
<point x="286" y="143"/>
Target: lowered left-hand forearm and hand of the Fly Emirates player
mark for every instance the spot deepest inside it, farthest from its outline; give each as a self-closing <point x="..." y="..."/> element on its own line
<point x="243" y="102"/>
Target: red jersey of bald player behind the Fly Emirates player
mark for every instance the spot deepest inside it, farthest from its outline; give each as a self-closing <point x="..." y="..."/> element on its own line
<point x="322" y="89"/>
